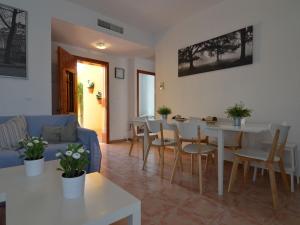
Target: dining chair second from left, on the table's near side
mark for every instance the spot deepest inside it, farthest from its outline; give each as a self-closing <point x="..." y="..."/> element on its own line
<point x="160" y="141"/>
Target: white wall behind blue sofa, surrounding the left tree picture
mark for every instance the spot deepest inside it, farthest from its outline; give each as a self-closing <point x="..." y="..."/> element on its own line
<point x="31" y="96"/>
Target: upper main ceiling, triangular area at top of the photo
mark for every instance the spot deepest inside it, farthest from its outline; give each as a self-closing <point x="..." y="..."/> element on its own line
<point x="153" y="16"/>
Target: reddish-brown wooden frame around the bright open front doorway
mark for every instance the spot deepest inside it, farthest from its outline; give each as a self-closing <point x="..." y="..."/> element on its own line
<point x="106" y="65"/>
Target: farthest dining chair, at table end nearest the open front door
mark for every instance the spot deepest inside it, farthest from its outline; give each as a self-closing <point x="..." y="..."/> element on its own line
<point x="137" y="134"/>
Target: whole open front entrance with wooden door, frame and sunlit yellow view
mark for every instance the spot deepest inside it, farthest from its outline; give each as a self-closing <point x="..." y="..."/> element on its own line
<point x="84" y="91"/>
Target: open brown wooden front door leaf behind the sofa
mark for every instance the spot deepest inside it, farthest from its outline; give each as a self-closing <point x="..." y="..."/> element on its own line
<point x="67" y="82"/>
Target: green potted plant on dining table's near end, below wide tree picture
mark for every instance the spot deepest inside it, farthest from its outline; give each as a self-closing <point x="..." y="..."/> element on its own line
<point x="237" y="112"/>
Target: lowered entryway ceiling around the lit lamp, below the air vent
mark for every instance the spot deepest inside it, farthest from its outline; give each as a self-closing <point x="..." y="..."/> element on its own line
<point x="70" y="34"/>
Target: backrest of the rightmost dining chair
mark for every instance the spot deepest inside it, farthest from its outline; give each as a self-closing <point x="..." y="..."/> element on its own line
<point x="279" y="140"/>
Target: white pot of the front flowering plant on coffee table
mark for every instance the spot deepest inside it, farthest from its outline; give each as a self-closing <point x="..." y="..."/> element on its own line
<point x="73" y="187"/>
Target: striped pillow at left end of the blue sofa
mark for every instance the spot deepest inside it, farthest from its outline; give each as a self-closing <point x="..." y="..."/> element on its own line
<point x="12" y="131"/>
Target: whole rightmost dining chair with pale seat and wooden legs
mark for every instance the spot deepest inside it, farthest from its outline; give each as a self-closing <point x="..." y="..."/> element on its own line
<point x="269" y="158"/>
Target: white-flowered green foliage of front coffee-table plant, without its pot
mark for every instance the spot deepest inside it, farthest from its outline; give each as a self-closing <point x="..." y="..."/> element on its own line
<point x="73" y="161"/>
